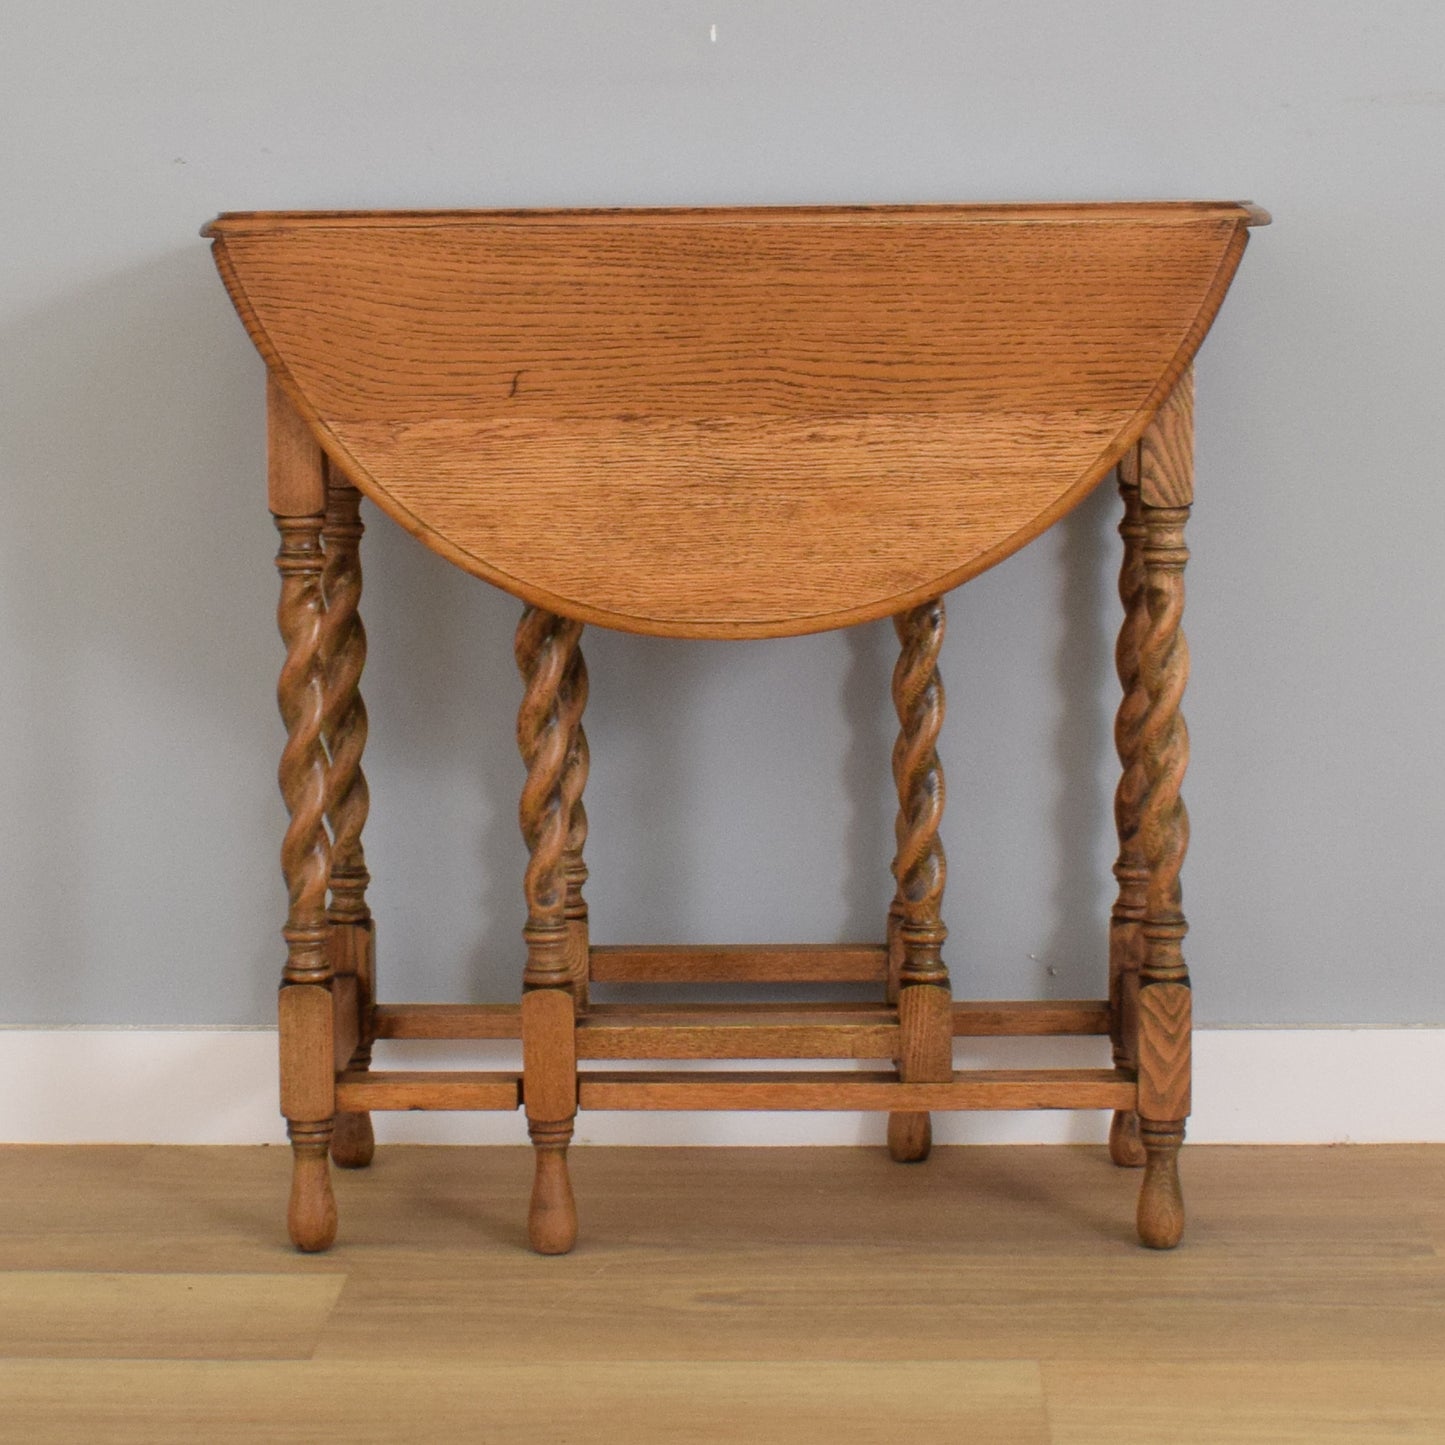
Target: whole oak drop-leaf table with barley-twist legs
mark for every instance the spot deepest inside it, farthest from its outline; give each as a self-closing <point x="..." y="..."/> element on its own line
<point x="725" y="424"/>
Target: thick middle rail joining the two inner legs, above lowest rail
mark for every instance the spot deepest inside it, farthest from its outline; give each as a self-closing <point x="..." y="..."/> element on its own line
<point x="739" y="1032"/>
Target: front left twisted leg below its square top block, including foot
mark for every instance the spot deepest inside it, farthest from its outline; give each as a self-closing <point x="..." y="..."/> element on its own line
<point x="306" y="1012"/>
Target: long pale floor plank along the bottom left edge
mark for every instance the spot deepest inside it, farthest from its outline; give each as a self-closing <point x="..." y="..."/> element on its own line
<point x="807" y="1404"/>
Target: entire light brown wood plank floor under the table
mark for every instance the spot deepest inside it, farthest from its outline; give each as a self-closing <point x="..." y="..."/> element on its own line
<point x="819" y="1295"/>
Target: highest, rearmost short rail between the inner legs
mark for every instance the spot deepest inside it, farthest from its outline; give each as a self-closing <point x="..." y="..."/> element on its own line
<point x="741" y="965"/>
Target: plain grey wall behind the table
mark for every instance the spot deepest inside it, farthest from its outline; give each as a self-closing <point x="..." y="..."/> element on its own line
<point x="741" y="791"/>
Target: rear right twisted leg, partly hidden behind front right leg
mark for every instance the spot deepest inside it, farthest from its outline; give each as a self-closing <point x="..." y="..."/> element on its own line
<point x="1125" y="931"/>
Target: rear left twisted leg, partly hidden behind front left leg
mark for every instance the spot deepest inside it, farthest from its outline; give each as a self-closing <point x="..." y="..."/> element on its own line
<point x="345" y="733"/>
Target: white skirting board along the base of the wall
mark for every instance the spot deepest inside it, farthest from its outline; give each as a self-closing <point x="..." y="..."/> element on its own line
<point x="219" y="1087"/>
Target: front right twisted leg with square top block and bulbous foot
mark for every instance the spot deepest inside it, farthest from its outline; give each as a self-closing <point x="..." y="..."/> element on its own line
<point x="1165" y="483"/>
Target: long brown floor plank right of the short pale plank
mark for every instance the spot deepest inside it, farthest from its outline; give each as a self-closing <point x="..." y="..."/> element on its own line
<point x="859" y="1304"/>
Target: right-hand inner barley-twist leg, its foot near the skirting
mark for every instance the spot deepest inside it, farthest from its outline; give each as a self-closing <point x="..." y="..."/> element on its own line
<point x="917" y="927"/>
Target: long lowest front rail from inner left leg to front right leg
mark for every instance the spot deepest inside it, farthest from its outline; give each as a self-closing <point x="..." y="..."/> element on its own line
<point x="980" y="1089"/>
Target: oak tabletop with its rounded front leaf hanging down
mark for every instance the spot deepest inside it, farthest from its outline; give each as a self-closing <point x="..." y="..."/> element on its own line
<point x="732" y="423"/>
